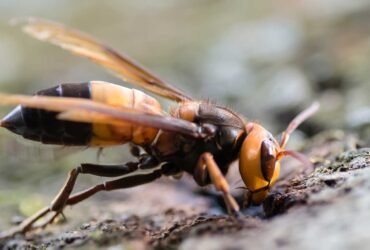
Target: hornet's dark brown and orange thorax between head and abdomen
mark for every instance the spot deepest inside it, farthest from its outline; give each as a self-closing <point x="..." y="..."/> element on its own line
<point x="183" y="152"/>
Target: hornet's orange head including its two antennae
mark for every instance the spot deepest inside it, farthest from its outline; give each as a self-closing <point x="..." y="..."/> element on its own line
<point x="260" y="155"/>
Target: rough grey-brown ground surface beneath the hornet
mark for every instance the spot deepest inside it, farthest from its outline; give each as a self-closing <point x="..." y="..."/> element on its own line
<point x="325" y="209"/>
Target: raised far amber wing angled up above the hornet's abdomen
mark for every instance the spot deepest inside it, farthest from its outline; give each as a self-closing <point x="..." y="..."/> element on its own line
<point x="82" y="45"/>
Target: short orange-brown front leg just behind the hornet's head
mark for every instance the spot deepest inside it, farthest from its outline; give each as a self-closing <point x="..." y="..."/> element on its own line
<point x="207" y="163"/>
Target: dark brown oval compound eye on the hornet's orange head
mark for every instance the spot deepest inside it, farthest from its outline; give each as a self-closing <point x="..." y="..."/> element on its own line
<point x="268" y="159"/>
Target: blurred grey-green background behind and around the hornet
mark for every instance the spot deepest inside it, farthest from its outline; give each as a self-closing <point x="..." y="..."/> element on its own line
<point x="265" y="59"/>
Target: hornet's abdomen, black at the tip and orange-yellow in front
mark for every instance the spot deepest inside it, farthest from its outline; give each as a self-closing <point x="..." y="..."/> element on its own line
<point x="43" y="126"/>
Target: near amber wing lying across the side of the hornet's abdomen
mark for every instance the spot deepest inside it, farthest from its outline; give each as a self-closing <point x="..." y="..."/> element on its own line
<point x="85" y="110"/>
